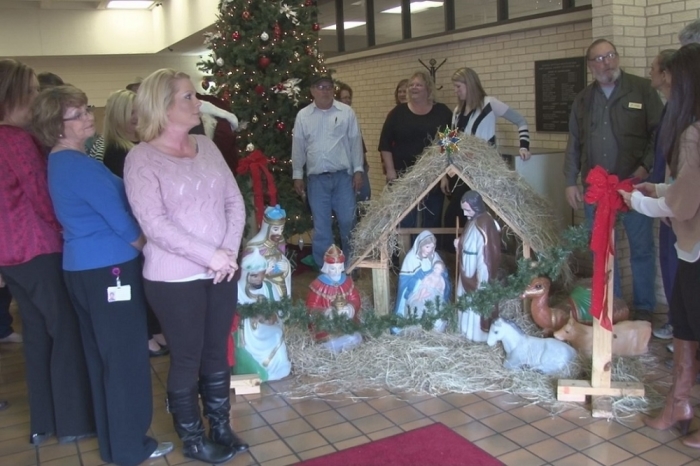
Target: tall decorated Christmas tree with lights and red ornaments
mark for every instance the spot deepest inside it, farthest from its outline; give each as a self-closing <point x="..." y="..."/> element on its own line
<point x="263" y="54"/>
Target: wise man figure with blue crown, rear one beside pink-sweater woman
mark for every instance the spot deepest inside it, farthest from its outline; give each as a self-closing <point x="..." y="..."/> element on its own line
<point x="270" y="241"/>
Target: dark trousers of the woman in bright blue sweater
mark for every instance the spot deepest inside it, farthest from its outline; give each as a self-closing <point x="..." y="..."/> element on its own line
<point x="115" y="340"/>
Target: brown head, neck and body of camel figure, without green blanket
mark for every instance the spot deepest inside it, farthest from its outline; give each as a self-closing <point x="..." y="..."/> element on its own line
<point x="551" y="319"/>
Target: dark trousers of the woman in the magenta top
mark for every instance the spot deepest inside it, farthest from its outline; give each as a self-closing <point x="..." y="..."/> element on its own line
<point x="57" y="379"/>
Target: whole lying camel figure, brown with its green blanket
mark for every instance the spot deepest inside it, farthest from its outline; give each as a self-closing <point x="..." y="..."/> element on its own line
<point x="551" y="319"/>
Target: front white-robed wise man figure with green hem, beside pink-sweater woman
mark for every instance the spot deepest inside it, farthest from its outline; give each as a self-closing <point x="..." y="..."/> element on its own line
<point x="260" y="345"/>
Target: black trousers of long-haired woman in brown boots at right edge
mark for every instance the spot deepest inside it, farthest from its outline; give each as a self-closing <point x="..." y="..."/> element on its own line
<point x="684" y="307"/>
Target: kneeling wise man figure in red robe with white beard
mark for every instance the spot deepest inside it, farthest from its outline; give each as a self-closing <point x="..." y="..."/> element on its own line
<point x="331" y="293"/>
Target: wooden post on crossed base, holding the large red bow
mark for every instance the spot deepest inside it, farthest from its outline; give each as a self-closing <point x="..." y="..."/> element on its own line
<point x="600" y="387"/>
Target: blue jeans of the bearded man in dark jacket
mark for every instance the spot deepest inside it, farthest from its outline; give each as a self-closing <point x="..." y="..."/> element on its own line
<point x="639" y="229"/>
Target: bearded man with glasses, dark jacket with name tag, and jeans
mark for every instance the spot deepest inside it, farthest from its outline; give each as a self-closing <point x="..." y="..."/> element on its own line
<point x="612" y="125"/>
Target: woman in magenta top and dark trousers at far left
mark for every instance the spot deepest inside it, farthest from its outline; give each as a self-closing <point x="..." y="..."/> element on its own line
<point x="30" y="263"/>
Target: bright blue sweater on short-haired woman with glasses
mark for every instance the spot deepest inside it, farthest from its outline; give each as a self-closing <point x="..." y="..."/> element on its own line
<point x="91" y="205"/>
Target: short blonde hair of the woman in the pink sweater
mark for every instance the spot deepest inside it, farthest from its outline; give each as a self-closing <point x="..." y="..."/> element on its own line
<point x="153" y="99"/>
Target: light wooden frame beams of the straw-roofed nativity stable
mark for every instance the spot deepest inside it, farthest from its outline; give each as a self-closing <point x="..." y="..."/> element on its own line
<point x="381" y="267"/>
